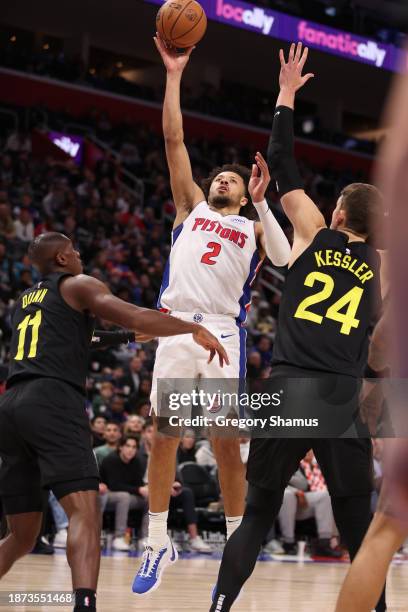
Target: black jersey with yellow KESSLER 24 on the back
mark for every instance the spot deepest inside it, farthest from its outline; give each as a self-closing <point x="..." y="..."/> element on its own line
<point x="331" y="295"/>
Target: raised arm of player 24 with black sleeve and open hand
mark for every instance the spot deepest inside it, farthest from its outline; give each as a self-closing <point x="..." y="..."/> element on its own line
<point x="300" y="209"/>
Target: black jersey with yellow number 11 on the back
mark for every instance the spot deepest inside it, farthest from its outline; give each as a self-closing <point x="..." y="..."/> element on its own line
<point x="50" y="339"/>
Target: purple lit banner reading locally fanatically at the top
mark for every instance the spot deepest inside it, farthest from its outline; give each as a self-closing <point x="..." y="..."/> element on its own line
<point x="329" y="40"/>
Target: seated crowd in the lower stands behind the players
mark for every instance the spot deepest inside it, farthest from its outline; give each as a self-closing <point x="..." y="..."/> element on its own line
<point x="125" y="242"/>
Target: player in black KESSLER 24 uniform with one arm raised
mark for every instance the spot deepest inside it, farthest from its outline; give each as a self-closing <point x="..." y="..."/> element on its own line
<point x="331" y="294"/>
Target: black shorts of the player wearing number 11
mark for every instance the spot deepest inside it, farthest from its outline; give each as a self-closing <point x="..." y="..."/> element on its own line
<point x="45" y="441"/>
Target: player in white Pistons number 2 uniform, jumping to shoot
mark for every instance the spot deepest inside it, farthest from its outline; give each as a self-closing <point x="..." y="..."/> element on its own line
<point x="216" y="251"/>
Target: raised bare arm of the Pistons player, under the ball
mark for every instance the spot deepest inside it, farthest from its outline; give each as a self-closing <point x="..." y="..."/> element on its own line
<point x="186" y="193"/>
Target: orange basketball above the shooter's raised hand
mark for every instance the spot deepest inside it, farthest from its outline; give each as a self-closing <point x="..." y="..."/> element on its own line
<point x="181" y="23"/>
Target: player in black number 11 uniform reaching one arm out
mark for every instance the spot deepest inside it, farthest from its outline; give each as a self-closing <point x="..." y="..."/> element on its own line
<point x="45" y="437"/>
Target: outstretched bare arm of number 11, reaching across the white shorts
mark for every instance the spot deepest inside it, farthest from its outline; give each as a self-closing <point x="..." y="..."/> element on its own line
<point x="86" y="293"/>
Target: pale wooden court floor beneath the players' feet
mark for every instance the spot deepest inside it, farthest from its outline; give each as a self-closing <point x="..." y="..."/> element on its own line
<point x="287" y="587"/>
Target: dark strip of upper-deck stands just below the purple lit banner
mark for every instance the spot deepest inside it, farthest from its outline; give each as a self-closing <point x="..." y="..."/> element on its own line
<point x="229" y="100"/>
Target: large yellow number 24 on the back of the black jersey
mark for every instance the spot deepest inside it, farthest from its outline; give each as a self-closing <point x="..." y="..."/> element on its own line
<point x="351" y="299"/>
